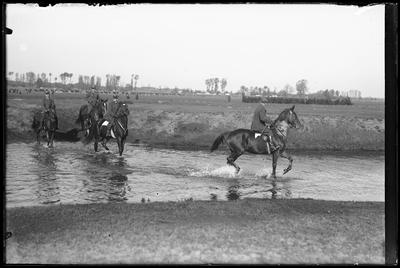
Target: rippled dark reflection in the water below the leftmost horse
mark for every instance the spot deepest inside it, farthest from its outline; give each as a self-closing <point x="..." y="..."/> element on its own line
<point x="48" y="190"/>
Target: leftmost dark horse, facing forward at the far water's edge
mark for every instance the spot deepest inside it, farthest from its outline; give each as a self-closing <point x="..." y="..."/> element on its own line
<point x="44" y="121"/>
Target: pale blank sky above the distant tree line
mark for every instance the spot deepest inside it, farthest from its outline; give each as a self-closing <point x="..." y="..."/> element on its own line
<point x="333" y="47"/>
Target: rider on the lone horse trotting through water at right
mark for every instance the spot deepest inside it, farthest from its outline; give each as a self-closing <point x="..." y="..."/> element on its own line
<point x="262" y="123"/>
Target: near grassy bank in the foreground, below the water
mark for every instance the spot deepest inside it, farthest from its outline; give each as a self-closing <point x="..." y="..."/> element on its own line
<point x="242" y="231"/>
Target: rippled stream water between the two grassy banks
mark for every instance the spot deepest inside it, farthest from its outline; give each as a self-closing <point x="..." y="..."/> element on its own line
<point x="73" y="173"/>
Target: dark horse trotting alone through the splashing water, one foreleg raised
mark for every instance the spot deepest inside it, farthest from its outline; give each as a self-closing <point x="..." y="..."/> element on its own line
<point x="240" y="141"/>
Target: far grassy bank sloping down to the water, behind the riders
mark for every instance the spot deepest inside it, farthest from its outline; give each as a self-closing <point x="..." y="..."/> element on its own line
<point x="196" y="121"/>
